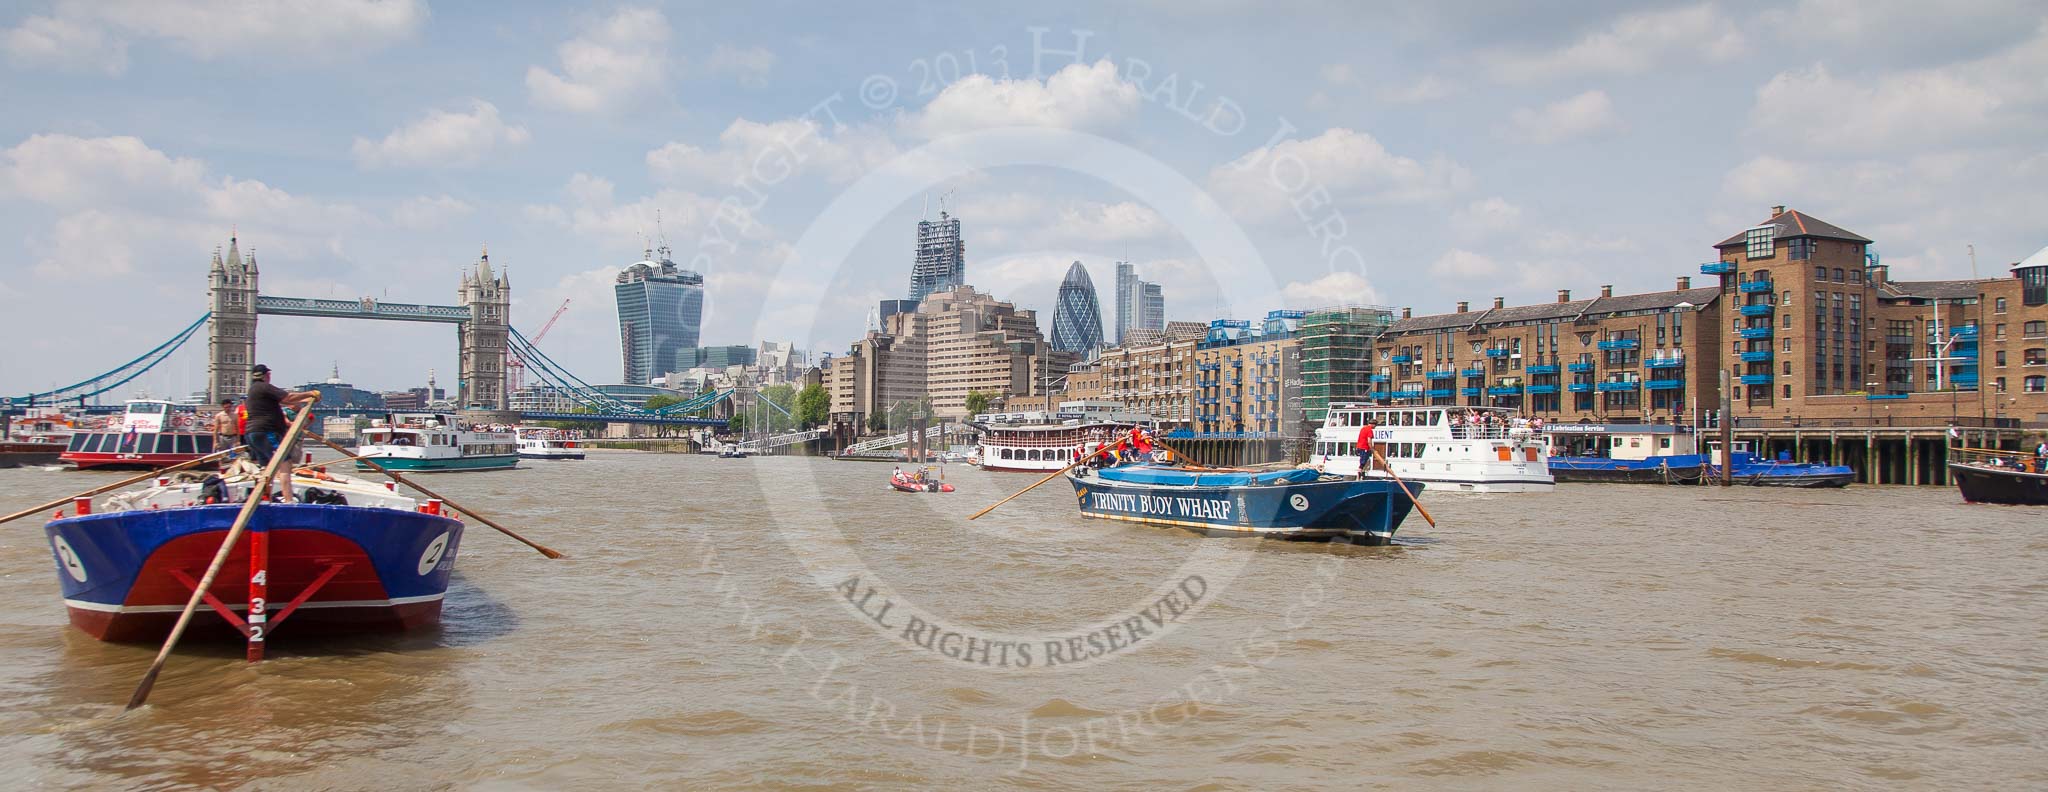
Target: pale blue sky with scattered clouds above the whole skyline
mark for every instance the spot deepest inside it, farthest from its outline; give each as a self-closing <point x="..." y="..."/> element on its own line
<point x="1246" y="157"/>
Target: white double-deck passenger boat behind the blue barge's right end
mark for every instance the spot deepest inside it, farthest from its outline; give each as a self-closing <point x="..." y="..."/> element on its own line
<point x="1453" y="449"/>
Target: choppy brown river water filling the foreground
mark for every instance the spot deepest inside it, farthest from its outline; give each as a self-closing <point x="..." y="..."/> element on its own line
<point x="787" y="623"/>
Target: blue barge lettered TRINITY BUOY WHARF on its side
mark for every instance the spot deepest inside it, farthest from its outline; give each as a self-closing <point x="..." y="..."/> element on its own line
<point x="1283" y="504"/>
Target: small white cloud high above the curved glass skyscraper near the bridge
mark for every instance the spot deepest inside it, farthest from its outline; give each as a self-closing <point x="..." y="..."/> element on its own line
<point x="615" y="62"/>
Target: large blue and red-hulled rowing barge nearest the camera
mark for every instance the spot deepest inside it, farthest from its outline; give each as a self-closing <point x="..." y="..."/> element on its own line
<point x="366" y="560"/>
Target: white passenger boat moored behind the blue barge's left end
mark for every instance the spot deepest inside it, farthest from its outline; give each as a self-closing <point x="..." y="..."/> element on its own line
<point x="1046" y="443"/>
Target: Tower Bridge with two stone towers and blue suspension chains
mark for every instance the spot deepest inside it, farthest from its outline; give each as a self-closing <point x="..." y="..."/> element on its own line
<point x="484" y="339"/>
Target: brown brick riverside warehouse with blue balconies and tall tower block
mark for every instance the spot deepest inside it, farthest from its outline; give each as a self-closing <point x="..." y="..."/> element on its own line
<point x="1826" y="355"/>
